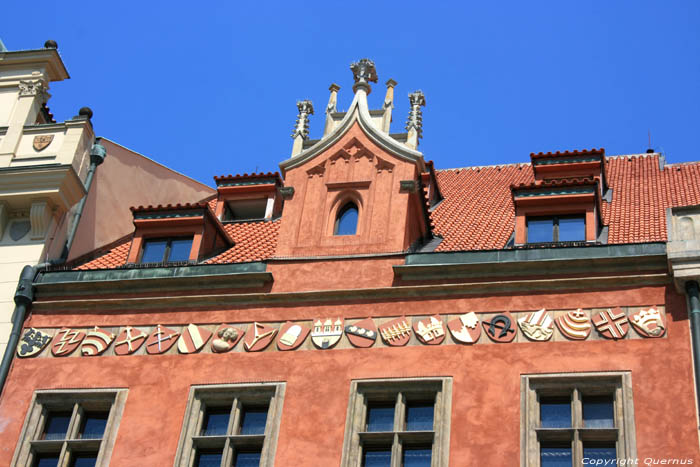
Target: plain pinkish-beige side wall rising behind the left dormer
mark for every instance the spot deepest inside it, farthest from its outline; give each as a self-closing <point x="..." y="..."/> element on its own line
<point x="127" y="179"/>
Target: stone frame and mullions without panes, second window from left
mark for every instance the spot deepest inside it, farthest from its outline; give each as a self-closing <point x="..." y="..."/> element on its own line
<point x="237" y="395"/>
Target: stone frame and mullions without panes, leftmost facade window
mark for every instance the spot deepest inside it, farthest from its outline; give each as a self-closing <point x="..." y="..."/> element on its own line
<point x="79" y="403"/>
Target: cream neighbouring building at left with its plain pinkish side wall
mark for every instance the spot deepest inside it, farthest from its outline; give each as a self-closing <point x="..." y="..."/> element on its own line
<point x="45" y="172"/>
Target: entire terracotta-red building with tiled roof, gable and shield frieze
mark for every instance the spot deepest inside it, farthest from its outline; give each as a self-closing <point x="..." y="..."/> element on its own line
<point x="362" y="308"/>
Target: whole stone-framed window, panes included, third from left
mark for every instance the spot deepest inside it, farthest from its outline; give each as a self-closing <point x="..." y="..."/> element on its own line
<point x="398" y="422"/>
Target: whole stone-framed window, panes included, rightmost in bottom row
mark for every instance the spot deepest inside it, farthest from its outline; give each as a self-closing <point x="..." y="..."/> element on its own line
<point x="573" y="419"/>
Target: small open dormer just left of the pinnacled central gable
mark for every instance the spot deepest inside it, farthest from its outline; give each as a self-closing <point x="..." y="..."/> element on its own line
<point x="249" y="197"/>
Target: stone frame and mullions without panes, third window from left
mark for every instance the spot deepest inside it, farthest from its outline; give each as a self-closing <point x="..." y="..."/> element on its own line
<point x="364" y="393"/>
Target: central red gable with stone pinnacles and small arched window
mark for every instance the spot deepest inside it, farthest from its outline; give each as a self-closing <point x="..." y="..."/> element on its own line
<point x="360" y="188"/>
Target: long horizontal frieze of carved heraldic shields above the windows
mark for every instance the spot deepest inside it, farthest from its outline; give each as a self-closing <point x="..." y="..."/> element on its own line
<point x="334" y="332"/>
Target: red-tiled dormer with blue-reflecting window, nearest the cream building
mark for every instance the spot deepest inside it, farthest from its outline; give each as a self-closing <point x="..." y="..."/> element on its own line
<point x="176" y="233"/>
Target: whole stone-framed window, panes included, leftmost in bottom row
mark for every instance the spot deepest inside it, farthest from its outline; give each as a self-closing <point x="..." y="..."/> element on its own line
<point x="70" y="428"/>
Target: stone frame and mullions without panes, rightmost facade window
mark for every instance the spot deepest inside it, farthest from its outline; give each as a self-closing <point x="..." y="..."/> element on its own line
<point x="577" y="386"/>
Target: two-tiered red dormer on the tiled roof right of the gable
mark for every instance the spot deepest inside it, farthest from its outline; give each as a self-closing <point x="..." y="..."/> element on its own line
<point x="563" y="204"/>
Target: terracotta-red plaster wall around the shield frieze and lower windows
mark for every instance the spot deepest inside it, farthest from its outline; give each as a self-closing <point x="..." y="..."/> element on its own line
<point x="486" y="391"/>
